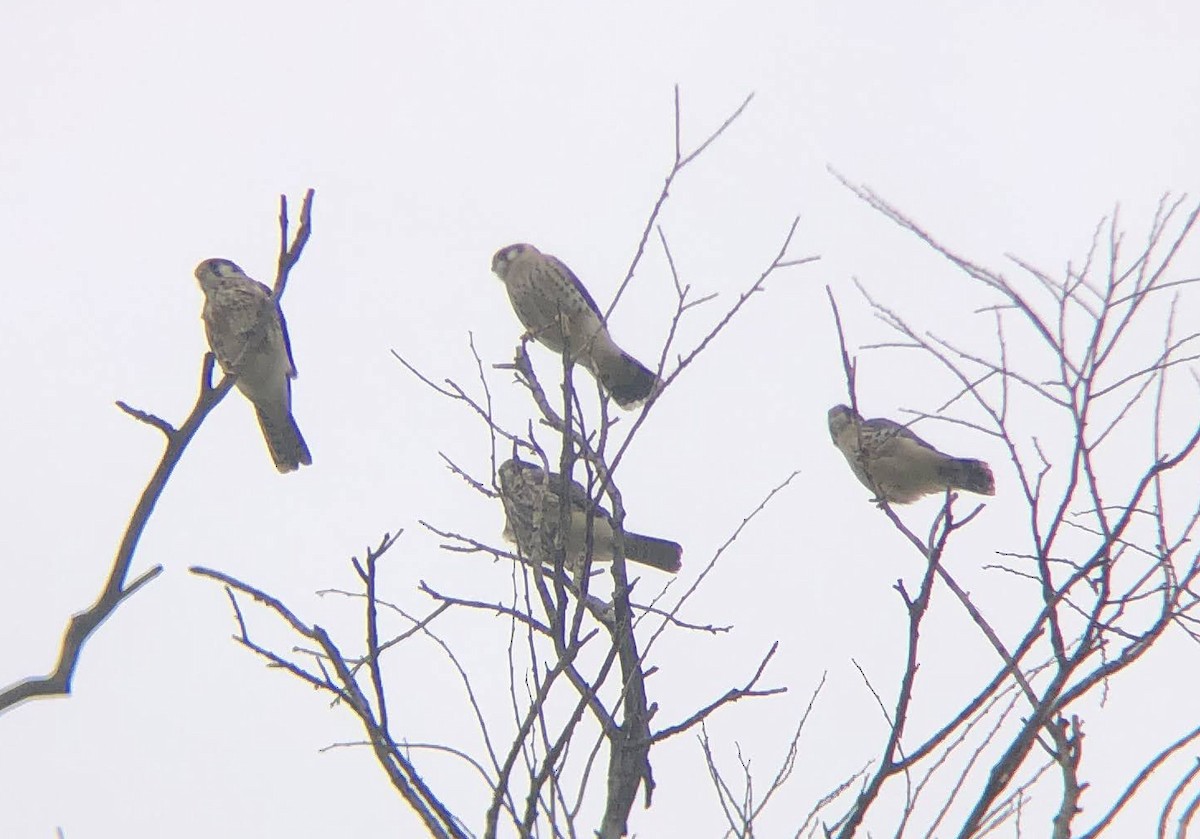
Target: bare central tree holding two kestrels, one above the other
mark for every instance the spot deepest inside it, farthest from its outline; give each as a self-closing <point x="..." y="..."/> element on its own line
<point x="577" y="753"/>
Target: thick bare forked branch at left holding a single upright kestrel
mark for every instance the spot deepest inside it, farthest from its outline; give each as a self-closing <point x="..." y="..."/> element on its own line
<point x="118" y="588"/>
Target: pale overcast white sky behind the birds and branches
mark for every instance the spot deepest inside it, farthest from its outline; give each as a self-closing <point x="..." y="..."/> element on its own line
<point x="137" y="139"/>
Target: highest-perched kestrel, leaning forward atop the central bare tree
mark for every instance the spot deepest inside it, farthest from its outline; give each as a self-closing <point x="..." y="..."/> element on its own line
<point x="557" y="310"/>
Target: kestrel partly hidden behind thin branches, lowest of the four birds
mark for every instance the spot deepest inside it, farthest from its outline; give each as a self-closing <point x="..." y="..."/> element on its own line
<point x="525" y="487"/>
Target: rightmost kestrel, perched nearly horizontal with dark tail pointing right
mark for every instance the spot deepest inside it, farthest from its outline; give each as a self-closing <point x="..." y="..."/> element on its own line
<point x="898" y="465"/>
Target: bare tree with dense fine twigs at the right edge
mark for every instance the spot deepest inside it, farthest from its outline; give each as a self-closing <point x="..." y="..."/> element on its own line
<point x="1089" y="386"/>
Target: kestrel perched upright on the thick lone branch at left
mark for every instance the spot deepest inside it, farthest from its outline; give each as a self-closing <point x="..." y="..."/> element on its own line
<point x="249" y="337"/>
